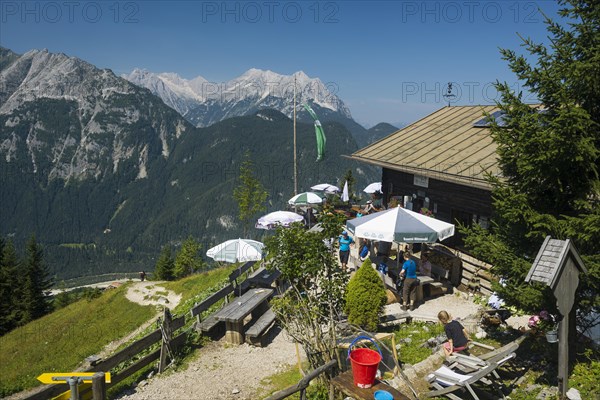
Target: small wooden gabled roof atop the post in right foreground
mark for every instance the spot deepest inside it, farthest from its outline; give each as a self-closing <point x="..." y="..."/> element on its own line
<point x="550" y="259"/>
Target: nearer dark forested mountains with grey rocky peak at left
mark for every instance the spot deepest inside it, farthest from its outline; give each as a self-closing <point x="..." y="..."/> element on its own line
<point x="104" y="173"/>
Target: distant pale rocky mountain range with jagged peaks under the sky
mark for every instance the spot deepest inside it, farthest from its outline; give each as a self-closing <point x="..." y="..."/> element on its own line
<point x="203" y="103"/>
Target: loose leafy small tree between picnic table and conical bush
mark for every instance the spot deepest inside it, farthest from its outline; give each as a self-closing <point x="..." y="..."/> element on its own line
<point x="309" y="309"/>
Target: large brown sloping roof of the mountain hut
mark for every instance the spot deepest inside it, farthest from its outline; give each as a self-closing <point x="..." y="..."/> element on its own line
<point x="445" y="145"/>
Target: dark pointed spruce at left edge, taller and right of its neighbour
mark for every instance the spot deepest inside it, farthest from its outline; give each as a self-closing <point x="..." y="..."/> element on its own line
<point x="36" y="283"/>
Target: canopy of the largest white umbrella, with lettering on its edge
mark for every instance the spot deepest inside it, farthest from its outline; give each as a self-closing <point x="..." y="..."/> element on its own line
<point x="400" y="225"/>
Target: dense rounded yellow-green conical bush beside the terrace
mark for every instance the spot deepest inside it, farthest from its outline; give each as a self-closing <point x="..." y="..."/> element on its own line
<point x="365" y="298"/>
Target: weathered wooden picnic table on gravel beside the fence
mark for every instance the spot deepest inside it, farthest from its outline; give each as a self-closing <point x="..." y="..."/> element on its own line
<point x="253" y="301"/>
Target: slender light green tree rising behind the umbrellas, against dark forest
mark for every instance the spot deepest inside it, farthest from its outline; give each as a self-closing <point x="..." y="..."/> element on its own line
<point x="250" y="194"/>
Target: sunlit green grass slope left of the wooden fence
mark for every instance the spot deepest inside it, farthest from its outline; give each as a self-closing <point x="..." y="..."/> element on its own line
<point x="60" y="341"/>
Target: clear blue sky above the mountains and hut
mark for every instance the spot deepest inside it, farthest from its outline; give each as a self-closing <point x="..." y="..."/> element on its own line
<point x="388" y="61"/>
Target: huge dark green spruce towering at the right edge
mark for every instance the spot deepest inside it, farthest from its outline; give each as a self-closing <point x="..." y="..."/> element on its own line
<point x="549" y="158"/>
